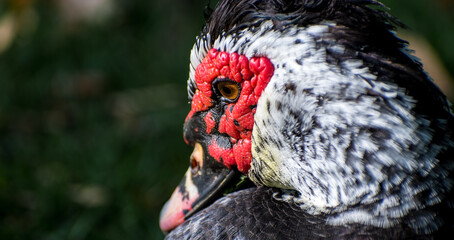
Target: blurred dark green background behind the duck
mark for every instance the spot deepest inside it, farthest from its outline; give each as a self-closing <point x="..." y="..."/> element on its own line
<point x="92" y="102"/>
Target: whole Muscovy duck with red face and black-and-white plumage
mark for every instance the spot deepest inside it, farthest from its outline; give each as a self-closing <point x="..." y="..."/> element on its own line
<point x="311" y="120"/>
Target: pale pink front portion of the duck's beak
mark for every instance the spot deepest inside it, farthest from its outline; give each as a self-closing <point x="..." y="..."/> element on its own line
<point x="180" y="203"/>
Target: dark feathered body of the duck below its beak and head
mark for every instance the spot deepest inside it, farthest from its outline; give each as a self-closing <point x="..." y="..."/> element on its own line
<point x="255" y="214"/>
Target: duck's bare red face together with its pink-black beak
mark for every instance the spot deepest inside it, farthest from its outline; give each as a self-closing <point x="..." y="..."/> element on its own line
<point x="224" y="92"/>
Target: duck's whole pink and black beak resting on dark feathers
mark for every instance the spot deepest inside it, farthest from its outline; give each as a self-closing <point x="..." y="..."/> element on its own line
<point x="205" y="181"/>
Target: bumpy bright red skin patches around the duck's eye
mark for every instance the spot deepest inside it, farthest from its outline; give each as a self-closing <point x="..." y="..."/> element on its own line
<point x="237" y="119"/>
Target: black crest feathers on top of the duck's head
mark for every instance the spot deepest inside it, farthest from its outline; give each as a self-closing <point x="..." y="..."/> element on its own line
<point x="237" y="15"/>
